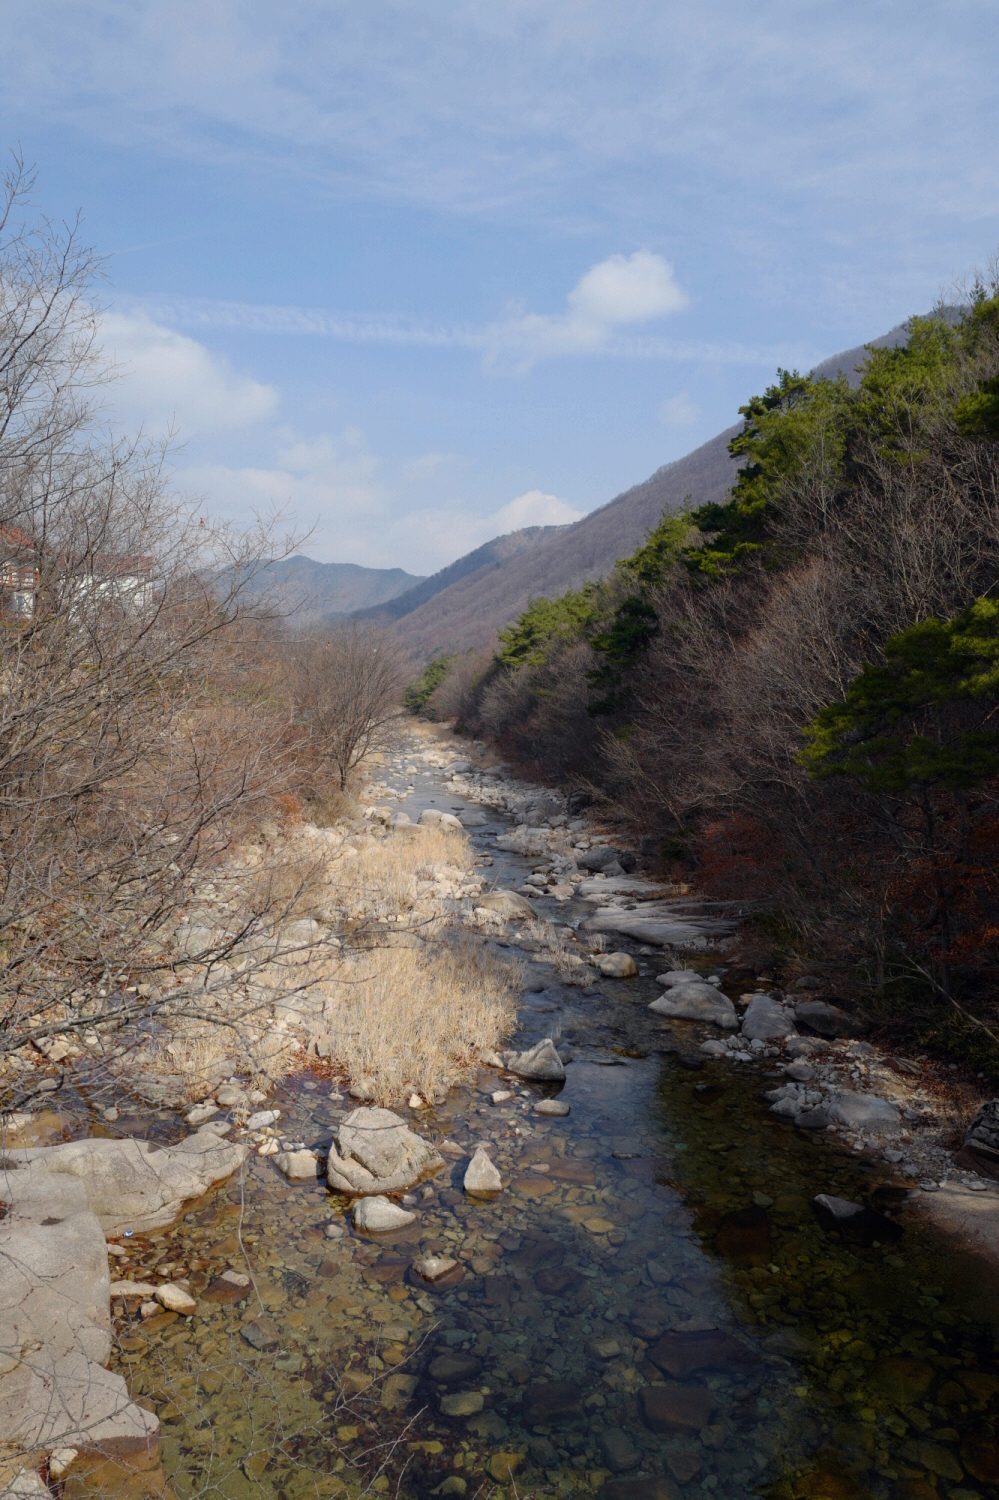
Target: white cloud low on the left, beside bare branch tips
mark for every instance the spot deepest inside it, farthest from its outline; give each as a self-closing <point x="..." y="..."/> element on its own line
<point x="169" y="380"/>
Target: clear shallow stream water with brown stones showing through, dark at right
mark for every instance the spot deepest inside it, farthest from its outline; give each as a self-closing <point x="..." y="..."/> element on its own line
<point x="650" y="1307"/>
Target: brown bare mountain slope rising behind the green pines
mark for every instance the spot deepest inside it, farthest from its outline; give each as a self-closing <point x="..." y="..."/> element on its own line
<point x="485" y="599"/>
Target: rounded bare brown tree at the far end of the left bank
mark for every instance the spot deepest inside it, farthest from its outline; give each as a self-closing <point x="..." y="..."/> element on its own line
<point x="349" y="686"/>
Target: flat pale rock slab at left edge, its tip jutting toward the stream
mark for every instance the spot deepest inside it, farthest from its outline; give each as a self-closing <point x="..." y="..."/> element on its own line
<point x="131" y="1184"/>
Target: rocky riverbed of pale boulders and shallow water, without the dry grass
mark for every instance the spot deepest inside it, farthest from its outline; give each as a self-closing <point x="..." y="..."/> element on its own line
<point x="700" y="1259"/>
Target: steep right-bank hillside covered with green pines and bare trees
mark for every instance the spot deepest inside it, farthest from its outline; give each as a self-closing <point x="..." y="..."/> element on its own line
<point x="793" y="692"/>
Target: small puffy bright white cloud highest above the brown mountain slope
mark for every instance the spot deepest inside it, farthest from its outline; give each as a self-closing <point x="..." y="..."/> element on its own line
<point x="614" y="295"/>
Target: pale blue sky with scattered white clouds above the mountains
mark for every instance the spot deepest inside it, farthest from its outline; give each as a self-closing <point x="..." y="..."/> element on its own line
<point x="422" y="275"/>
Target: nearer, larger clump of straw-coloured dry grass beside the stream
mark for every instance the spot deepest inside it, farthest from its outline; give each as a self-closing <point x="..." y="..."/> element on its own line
<point x="415" y="1018"/>
